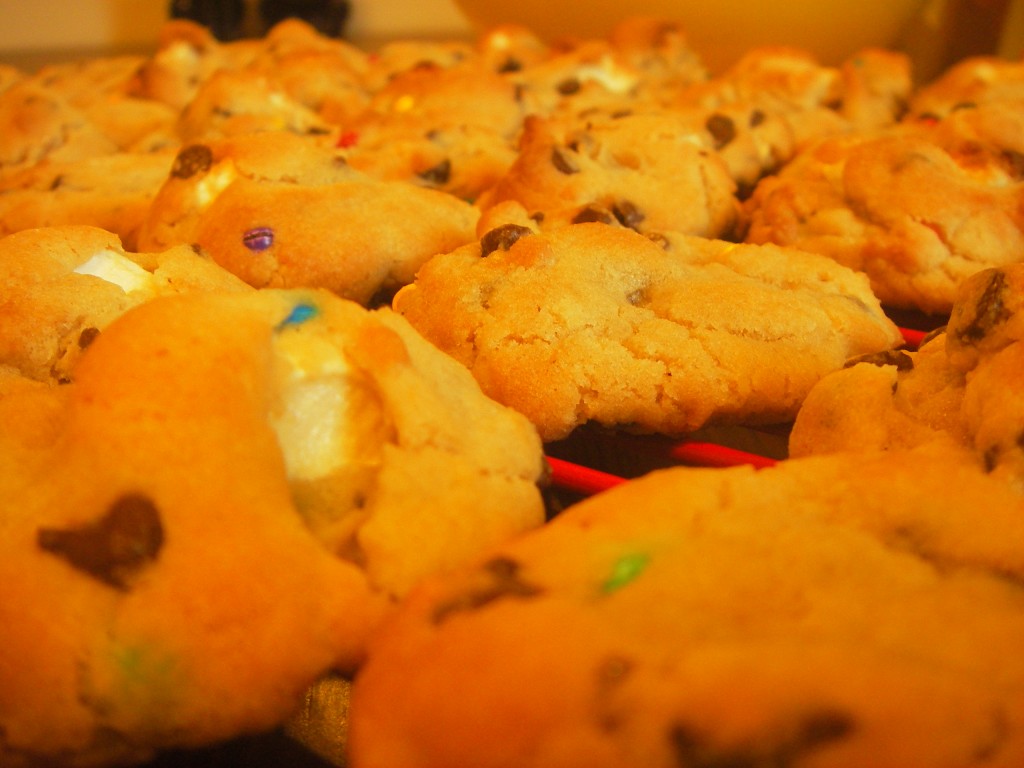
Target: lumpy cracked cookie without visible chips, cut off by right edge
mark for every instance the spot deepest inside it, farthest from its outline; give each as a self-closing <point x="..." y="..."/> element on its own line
<point x="919" y="208"/>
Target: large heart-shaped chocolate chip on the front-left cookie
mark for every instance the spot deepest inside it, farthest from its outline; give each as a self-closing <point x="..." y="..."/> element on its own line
<point x="115" y="548"/>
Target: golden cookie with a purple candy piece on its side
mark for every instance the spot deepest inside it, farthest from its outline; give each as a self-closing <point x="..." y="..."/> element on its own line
<point x="283" y="211"/>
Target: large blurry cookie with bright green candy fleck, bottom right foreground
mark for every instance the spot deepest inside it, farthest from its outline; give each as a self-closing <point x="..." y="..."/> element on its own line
<point x="835" y="612"/>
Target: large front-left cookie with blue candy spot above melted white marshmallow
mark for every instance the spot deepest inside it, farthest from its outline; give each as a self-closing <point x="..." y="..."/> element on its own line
<point x="304" y="466"/>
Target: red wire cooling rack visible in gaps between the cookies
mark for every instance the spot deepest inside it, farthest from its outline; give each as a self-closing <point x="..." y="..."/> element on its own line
<point x="589" y="473"/>
